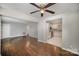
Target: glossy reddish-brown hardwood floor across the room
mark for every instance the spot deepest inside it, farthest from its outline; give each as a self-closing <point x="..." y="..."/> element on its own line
<point x="29" y="46"/>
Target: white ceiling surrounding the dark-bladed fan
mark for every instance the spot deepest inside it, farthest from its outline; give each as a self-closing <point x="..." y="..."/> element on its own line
<point x="26" y="8"/>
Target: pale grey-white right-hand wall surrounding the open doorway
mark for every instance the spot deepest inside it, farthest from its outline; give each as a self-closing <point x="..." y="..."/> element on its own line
<point x="70" y="30"/>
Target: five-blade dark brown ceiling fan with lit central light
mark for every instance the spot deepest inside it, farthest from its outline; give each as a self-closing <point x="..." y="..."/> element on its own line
<point x="43" y="8"/>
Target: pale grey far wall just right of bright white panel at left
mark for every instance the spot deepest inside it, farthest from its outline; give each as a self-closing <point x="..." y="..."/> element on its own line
<point x="17" y="29"/>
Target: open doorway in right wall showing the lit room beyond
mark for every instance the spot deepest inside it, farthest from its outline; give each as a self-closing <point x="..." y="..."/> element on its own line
<point x="55" y="32"/>
